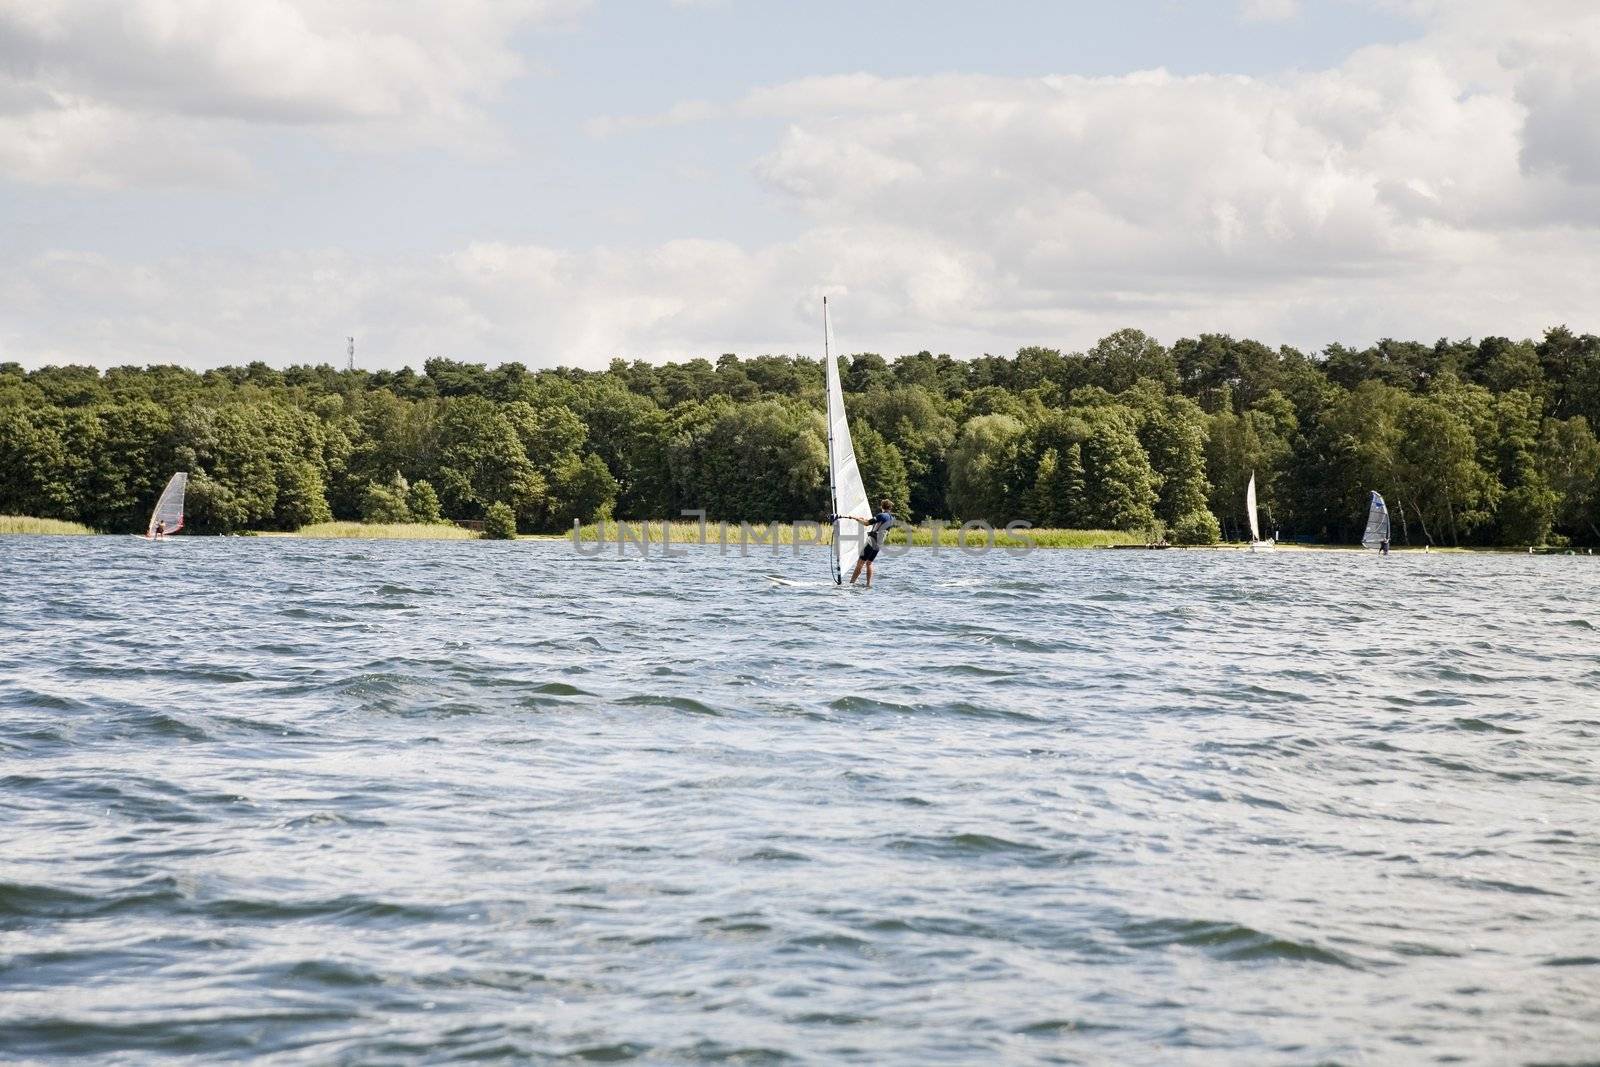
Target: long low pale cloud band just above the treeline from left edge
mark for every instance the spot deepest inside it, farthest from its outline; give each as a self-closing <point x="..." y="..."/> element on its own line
<point x="486" y="302"/>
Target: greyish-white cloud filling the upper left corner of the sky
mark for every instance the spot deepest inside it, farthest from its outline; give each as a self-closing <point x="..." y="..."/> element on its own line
<point x="158" y="92"/>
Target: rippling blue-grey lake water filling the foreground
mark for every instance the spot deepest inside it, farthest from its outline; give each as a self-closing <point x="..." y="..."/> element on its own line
<point x="398" y="802"/>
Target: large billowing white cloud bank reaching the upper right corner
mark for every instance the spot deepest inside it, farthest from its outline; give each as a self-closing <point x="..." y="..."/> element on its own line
<point x="1444" y="186"/>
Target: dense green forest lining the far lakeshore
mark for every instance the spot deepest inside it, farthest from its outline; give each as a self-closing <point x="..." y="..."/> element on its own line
<point x="1473" y="442"/>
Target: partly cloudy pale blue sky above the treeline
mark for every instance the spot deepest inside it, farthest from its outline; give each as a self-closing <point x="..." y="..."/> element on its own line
<point x="572" y="182"/>
